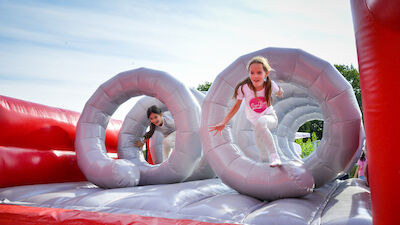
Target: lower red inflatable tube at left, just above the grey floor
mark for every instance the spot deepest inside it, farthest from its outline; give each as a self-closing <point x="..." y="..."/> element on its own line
<point x="20" y="166"/>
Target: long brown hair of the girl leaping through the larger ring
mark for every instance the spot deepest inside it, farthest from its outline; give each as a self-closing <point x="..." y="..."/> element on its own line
<point x="267" y="83"/>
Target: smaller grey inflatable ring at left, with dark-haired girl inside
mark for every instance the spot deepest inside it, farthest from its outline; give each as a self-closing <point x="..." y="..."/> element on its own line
<point x="89" y="143"/>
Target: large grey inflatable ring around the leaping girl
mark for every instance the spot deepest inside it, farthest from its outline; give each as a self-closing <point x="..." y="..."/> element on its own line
<point x="342" y="126"/>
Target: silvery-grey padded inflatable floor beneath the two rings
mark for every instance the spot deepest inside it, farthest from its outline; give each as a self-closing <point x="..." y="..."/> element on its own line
<point x="339" y="202"/>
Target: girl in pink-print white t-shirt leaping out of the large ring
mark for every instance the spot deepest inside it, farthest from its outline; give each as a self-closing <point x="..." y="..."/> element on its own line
<point x="257" y="90"/>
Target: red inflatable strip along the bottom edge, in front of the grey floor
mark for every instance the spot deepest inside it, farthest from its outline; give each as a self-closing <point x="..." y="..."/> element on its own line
<point x="24" y="215"/>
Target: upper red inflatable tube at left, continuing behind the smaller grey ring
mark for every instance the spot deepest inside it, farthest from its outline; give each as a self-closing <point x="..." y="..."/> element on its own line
<point x="30" y="125"/>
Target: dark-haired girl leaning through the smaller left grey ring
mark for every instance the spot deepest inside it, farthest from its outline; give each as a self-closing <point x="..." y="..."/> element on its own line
<point x="163" y="123"/>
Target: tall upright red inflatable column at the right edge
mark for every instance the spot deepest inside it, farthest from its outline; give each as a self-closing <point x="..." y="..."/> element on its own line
<point x="377" y="32"/>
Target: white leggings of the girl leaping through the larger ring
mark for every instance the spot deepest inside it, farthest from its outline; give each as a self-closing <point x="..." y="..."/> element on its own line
<point x="263" y="136"/>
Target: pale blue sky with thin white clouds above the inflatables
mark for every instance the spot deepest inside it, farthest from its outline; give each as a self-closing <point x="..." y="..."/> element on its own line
<point x="58" y="52"/>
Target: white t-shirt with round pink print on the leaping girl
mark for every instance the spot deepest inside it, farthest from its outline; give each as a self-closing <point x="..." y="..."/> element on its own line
<point x="256" y="107"/>
